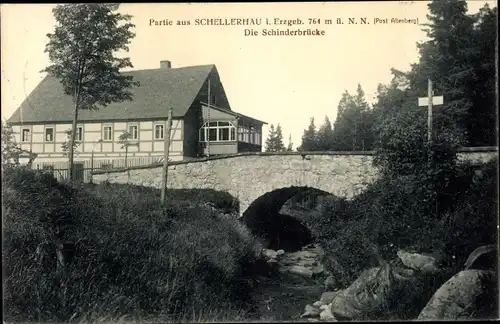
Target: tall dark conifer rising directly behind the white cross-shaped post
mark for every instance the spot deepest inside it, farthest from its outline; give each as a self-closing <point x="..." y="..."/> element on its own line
<point x="449" y="60"/>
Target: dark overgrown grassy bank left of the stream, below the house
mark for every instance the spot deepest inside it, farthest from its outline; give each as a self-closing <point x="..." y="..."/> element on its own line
<point x="134" y="256"/>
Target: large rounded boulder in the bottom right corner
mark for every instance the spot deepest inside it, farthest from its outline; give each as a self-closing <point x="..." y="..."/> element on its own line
<point x="457" y="297"/>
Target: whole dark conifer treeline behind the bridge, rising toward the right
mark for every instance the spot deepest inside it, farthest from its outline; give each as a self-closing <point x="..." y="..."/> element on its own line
<point x="459" y="58"/>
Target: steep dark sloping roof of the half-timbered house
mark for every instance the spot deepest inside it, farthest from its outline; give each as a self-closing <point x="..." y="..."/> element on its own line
<point x="159" y="90"/>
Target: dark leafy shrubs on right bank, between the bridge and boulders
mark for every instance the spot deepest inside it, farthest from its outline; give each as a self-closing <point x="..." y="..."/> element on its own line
<point x="448" y="213"/>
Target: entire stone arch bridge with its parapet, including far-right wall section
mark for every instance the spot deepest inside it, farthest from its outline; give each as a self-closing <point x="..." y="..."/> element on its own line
<point x="263" y="182"/>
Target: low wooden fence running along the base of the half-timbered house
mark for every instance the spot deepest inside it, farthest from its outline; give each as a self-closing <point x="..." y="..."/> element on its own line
<point x="83" y="169"/>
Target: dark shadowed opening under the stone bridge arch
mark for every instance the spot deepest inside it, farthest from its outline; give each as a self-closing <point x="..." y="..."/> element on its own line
<point x="266" y="218"/>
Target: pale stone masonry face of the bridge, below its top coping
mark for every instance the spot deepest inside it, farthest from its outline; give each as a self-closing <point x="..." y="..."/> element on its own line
<point x="249" y="177"/>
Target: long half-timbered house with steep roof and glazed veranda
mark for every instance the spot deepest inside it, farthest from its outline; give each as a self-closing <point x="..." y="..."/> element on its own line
<point x="203" y="122"/>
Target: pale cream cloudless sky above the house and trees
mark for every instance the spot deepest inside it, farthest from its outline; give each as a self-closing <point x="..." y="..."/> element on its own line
<point x="277" y="79"/>
